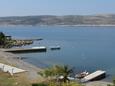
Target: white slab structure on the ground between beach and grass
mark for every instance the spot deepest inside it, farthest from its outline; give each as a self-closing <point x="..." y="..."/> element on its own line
<point x="10" y="69"/>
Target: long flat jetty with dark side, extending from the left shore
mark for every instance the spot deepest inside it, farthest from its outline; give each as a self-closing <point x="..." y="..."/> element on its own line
<point x="24" y="50"/>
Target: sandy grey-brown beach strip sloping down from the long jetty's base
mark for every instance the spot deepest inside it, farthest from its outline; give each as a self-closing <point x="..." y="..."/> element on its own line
<point x="12" y="59"/>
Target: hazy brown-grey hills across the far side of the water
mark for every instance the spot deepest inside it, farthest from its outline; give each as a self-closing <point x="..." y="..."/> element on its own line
<point x="59" y="20"/>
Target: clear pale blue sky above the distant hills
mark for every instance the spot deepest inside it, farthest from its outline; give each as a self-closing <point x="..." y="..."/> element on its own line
<point x="56" y="7"/>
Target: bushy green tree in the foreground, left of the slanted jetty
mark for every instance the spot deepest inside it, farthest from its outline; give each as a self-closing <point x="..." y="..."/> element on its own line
<point x="57" y="71"/>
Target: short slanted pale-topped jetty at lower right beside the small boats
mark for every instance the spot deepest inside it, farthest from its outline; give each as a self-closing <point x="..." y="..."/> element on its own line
<point x="97" y="75"/>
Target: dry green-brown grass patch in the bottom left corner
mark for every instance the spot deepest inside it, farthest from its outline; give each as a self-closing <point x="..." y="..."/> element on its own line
<point x="17" y="80"/>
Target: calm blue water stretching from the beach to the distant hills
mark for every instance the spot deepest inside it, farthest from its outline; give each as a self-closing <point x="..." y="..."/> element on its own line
<point x="86" y="48"/>
